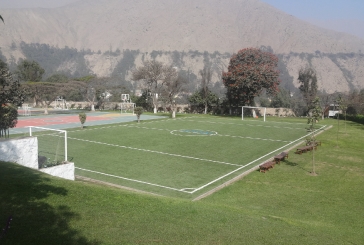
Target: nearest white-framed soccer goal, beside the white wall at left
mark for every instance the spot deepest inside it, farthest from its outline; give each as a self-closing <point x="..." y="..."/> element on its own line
<point x="52" y="146"/>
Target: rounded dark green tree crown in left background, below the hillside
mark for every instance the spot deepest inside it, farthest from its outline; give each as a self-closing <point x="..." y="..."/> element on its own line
<point x="30" y="71"/>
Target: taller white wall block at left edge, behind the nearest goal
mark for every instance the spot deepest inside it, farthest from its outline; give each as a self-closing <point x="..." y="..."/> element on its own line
<point x="23" y="151"/>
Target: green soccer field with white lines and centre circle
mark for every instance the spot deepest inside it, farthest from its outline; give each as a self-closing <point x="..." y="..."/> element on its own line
<point x="183" y="157"/>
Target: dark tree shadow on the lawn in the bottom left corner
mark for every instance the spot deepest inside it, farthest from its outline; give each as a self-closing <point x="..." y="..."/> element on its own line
<point x="34" y="221"/>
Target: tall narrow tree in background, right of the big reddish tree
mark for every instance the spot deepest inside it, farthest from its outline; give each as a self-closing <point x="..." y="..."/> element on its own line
<point x="308" y="85"/>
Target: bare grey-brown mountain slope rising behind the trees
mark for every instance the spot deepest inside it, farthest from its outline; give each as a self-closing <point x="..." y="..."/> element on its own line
<point x="183" y="26"/>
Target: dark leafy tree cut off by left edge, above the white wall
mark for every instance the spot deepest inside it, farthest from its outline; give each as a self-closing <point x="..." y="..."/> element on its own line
<point x="11" y="96"/>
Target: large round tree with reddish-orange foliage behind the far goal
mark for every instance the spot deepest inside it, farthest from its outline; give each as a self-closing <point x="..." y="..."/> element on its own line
<point x="250" y="71"/>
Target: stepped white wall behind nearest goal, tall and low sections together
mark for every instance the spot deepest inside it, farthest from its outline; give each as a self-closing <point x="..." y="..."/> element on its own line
<point x="24" y="151"/>
